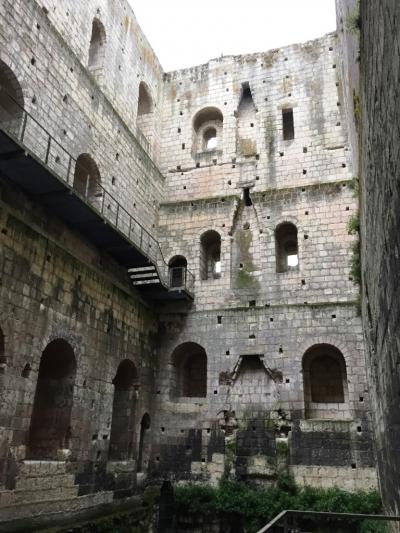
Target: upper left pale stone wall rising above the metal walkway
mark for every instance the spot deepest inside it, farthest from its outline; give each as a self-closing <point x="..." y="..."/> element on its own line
<point x="58" y="89"/>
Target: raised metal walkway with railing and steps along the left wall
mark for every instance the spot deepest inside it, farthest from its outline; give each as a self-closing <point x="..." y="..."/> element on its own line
<point x="33" y="160"/>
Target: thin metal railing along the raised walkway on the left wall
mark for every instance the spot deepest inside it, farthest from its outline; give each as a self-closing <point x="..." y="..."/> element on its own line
<point x="34" y="138"/>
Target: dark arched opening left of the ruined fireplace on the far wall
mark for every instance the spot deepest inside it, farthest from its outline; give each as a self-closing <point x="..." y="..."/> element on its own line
<point x="190" y="371"/>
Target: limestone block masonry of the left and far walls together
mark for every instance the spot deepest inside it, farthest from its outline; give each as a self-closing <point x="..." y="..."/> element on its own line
<point x="241" y="170"/>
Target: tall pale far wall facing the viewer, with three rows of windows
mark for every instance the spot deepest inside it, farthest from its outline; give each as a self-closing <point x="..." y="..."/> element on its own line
<point x="251" y="311"/>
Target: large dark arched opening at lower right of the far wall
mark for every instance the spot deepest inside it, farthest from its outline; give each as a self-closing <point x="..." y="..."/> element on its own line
<point x="325" y="383"/>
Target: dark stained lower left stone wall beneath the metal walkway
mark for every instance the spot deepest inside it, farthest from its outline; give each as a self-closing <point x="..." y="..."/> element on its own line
<point x="56" y="286"/>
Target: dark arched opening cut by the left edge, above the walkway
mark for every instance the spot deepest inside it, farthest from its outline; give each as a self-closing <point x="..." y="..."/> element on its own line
<point x="11" y="100"/>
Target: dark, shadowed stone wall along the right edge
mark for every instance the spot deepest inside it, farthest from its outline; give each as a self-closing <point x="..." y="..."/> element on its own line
<point x="374" y="117"/>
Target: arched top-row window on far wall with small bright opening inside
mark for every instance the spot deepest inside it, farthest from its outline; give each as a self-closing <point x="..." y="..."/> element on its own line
<point x="207" y="128"/>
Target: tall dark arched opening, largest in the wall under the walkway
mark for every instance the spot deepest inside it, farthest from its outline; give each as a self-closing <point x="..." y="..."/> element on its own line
<point x="50" y="428"/>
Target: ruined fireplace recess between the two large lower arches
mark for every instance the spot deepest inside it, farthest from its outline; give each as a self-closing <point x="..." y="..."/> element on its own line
<point x="253" y="384"/>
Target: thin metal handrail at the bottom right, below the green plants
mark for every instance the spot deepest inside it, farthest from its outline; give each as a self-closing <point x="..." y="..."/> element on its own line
<point x="288" y="521"/>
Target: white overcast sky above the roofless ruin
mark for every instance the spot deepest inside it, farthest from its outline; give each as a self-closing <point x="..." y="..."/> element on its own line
<point x="186" y="33"/>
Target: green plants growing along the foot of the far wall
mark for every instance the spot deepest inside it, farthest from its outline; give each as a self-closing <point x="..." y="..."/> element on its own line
<point x="235" y="502"/>
